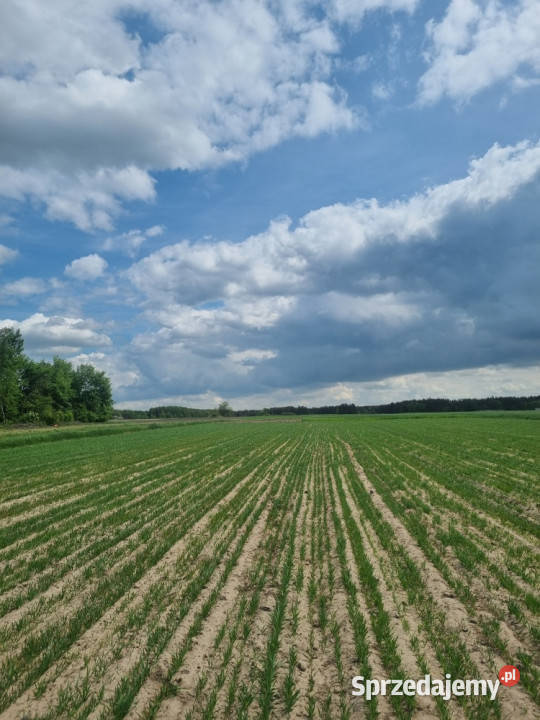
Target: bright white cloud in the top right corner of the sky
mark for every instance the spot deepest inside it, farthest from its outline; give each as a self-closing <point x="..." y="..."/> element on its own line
<point x="478" y="44"/>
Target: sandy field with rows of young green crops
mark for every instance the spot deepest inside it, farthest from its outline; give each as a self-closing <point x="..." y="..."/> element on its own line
<point x="252" y="569"/>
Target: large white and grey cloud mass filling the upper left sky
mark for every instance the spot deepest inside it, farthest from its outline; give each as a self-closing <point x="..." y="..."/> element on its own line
<point x="89" y="109"/>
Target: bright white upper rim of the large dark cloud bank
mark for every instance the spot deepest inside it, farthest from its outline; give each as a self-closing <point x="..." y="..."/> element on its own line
<point x="283" y="263"/>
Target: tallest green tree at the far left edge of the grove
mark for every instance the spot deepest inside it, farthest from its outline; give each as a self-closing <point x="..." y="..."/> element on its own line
<point x="11" y="362"/>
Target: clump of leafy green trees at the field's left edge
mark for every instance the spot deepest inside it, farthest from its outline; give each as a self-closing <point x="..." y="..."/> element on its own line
<point x="48" y="392"/>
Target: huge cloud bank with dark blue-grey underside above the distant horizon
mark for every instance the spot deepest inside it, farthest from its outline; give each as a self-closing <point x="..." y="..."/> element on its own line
<point x="352" y="293"/>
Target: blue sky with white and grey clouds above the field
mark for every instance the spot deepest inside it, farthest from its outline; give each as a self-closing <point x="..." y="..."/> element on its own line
<point x="274" y="202"/>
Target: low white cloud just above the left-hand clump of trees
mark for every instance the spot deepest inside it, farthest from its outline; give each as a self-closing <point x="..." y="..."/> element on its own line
<point x="57" y="333"/>
